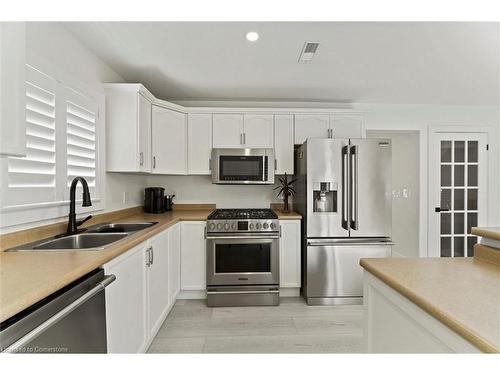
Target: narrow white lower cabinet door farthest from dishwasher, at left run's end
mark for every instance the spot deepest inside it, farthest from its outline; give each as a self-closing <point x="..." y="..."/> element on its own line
<point x="174" y="263"/>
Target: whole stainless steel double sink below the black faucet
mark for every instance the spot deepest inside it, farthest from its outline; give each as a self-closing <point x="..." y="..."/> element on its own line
<point x="97" y="237"/>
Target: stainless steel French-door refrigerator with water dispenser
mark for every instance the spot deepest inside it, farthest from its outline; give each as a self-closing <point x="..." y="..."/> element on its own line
<point x="344" y="195"/>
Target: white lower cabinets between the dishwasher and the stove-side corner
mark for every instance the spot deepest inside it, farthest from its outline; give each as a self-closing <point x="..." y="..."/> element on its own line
<point x="146" y="286"/>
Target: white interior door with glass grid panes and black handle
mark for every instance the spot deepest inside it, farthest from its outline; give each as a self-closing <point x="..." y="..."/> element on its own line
<point x="457" y="192"/>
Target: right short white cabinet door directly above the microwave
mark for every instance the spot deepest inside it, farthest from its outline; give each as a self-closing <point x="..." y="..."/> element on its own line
<point x="258" y="131"/>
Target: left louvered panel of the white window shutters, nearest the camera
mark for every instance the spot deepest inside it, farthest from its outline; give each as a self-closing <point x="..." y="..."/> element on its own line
<point x="32" y="179"/>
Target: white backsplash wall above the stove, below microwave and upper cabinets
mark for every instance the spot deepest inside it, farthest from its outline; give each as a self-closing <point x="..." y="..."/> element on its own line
<point x="199" y="189"/>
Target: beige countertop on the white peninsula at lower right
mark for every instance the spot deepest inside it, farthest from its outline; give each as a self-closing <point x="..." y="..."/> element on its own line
<point x="462" y="293"/>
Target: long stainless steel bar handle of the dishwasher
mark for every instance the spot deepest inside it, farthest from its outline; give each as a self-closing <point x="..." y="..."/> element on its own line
<point x="60" y="315"/>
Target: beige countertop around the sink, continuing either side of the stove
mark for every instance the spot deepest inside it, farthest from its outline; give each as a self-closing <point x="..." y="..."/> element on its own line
<point x="28" y="277"/>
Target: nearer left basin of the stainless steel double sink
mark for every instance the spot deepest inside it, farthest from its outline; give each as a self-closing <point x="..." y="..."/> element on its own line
<point x="85" y="241"/>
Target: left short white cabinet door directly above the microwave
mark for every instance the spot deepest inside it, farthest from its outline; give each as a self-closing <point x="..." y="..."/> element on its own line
<point x="227" y="130"/>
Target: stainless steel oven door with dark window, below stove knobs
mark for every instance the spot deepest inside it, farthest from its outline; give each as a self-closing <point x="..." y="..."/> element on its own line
<point x="243" y="261"/>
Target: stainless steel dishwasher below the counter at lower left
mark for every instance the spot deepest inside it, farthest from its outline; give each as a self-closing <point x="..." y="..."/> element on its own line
<point x="72" y="320"/>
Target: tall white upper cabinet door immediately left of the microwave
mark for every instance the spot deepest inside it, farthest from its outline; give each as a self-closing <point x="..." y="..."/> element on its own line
<point x="199" y="143"/>
